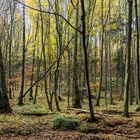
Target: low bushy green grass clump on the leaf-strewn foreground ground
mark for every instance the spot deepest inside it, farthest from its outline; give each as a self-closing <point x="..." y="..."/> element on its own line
<point x="64" y="123"/>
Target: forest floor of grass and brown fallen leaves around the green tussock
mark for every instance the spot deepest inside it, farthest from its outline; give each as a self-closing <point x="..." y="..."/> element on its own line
<point x="34" y="122"/>
